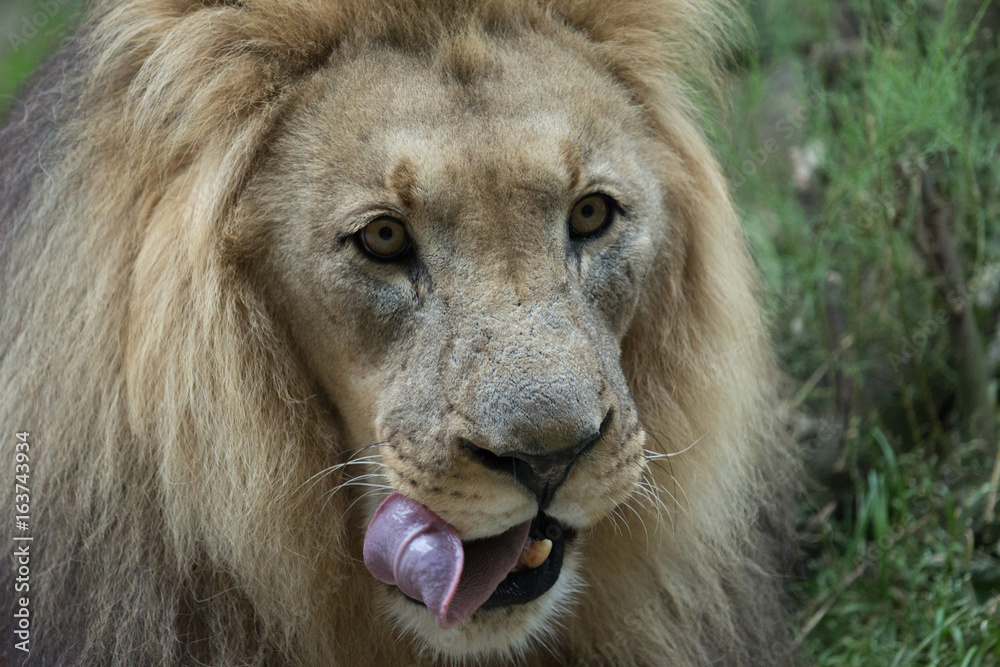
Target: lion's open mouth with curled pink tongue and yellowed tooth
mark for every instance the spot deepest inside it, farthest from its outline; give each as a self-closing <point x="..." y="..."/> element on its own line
<point x="410" y="547"/>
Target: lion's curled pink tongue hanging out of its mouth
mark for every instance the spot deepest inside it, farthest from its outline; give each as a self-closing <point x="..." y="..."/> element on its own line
<point x="409" y="546"/>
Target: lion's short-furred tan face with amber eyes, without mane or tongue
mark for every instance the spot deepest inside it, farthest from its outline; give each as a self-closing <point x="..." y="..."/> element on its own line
<point x="457" y="245"/>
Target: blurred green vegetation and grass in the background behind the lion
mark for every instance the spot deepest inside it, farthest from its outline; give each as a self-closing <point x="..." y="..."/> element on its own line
<point x="863" y="148"/>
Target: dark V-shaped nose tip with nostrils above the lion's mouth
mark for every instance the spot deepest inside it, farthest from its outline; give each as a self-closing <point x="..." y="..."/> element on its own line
<point x="543" y="473"/>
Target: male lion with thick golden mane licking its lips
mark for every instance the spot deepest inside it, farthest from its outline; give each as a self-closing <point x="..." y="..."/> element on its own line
<point x="271" y="265"/>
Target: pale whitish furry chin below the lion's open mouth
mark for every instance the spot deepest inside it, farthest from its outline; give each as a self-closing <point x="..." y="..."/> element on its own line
<point x="503" y="632"/>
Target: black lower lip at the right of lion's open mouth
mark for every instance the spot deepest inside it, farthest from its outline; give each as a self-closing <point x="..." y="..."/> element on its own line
<point x="527" y="585"/>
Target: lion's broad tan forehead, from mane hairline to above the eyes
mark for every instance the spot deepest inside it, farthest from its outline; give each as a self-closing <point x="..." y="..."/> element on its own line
<point x="534" y="126"/>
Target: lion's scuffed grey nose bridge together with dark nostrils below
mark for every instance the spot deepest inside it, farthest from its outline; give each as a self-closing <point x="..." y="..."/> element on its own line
<point x="536" y="396"/>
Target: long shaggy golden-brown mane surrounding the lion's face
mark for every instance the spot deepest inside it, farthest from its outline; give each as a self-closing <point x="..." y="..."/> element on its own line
<point x="173" y="432"/>
